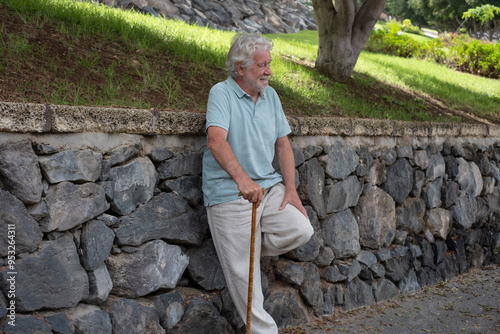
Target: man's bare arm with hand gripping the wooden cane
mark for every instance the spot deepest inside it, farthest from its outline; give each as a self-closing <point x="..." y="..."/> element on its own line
<point x="224" y="155"/>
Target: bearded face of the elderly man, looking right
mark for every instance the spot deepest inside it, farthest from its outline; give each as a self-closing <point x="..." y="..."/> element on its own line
<point x="255" y="77"/>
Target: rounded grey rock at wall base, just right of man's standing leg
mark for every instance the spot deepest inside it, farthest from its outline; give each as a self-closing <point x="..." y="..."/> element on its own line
<point x="286" y="307"/>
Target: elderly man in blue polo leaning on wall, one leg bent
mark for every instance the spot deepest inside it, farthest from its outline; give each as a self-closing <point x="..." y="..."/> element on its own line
<point x="246" y="128"/>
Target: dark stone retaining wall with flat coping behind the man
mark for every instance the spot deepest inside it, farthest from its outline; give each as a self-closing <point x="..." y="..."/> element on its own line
<point x="102" y="226"/>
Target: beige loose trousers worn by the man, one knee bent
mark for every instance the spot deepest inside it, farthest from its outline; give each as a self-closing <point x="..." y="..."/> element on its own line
<point x="277" y="232"/>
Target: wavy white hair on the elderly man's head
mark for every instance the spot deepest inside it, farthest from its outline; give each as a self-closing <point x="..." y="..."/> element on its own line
<point x="243" y="47"/>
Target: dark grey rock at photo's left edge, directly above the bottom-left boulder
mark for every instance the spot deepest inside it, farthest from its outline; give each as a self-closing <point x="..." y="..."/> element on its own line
<point x="19" y="232"/>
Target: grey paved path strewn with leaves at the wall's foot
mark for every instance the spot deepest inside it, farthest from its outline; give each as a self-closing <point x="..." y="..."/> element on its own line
<point x="468" y="304"/>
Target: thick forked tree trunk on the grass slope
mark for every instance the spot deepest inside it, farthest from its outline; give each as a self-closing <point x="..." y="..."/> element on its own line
<point x="343" y="31"/>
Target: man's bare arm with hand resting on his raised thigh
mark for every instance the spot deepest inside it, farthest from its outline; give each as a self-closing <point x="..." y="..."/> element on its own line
<point x="286" y="162"/>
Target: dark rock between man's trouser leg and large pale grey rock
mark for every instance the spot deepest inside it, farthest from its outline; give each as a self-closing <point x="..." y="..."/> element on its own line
<point x="204" y="267"/>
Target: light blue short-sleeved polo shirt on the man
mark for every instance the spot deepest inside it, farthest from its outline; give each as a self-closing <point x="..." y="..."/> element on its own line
<point x="252" y="132"/>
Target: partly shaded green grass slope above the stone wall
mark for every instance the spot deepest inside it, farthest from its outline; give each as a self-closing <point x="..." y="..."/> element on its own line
<point x="200" y="50"/>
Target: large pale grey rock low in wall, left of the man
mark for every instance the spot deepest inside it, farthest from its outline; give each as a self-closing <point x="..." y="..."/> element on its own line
<point x="153" y="266"/>
